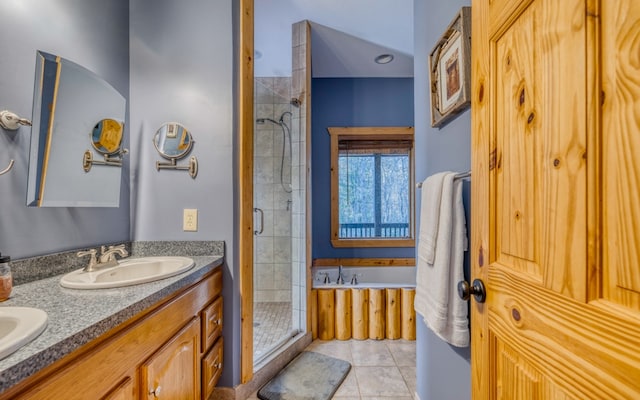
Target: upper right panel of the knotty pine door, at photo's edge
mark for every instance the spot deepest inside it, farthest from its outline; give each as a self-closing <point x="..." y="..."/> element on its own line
<point x="621" y="150"/>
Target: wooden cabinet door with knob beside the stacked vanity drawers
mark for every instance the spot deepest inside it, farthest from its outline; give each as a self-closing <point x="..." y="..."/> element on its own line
<point x="173" y="371"/>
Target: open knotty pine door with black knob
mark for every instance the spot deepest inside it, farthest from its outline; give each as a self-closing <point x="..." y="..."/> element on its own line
<point x="556" y="199"/>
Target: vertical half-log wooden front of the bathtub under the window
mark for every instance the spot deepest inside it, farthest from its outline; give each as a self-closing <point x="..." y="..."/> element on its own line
<point x="363" y="313"/>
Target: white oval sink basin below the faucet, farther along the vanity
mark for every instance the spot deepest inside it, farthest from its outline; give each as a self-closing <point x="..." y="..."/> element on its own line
<point x="130" y="271"/>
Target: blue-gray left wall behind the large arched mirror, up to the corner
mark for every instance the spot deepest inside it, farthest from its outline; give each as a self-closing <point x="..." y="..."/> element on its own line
<point x="94" y="34"/>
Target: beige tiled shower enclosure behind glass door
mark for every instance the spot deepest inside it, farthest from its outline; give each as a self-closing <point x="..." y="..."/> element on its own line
<point x="276" y="277"/>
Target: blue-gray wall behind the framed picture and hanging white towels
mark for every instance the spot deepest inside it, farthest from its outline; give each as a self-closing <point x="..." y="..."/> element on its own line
<point x="442" y="371"/>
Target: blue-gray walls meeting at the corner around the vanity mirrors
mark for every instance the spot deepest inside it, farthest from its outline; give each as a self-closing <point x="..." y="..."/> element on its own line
<point x="172" y="63"/>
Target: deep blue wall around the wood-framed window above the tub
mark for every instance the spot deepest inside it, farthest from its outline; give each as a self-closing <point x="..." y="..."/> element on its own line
<point x="350" y="102"/>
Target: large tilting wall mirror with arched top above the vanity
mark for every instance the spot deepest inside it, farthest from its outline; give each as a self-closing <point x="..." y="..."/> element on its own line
<point x="69" y="102"/>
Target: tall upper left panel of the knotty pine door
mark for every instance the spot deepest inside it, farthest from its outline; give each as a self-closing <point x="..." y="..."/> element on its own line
<point x="517" y="218"/>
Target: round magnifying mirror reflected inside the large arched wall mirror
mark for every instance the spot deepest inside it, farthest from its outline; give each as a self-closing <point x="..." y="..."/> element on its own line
<point x="106" y="139"/>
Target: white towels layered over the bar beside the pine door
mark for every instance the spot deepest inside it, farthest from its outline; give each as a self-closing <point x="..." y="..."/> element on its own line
<point x="436" y="293"/>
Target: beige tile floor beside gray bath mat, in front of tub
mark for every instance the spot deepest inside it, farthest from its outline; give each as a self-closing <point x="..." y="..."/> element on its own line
<point x="380" y="369"/>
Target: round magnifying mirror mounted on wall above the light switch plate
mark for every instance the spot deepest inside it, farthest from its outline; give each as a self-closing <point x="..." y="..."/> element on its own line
<point x="173" y="141"/>
